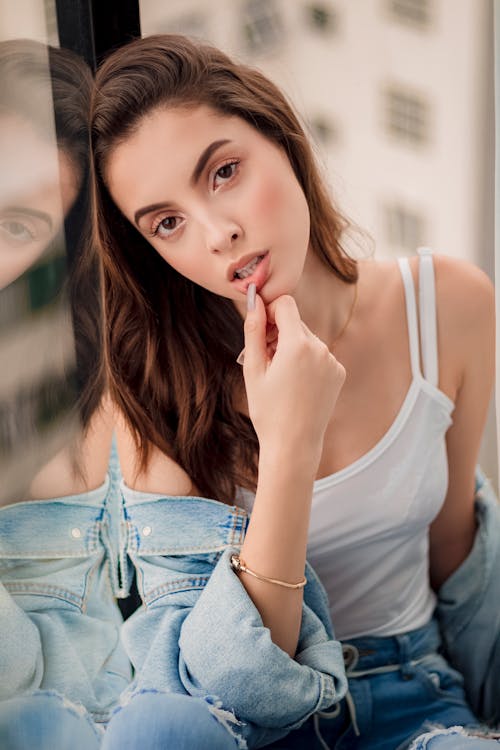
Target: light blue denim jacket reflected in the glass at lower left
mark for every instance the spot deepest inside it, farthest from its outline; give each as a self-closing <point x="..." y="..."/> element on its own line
<point x="59" y="621"/>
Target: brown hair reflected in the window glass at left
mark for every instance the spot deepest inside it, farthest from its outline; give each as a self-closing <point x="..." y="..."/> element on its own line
<point x="45" y="86"/>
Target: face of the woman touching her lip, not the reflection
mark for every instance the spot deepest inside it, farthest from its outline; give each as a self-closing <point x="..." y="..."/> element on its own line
<point x="217" y="200"/>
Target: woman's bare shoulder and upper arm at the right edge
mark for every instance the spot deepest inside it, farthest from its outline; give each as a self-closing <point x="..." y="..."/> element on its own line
<point x="466" y="322"/>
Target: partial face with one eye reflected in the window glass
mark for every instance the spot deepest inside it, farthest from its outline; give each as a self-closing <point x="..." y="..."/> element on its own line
<point x="38" y="185"/>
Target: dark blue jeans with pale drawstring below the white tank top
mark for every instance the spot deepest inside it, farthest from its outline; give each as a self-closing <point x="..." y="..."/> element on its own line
<point x="399" y="687"/>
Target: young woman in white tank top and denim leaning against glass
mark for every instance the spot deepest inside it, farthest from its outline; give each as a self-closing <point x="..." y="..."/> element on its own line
<point x="347" y="434"/>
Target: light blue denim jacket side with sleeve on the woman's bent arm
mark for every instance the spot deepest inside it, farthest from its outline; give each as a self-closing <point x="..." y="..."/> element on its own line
<point x="199" y="632"/>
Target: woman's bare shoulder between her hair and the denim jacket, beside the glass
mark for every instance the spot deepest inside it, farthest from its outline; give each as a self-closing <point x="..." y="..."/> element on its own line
<point x="163" y="475"/>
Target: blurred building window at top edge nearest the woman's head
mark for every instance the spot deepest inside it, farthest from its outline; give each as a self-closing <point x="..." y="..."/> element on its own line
<point x="262" y="25"/>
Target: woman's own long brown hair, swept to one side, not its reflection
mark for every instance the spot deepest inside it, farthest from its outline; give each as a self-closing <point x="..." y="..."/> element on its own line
<point x="172" y="345"/>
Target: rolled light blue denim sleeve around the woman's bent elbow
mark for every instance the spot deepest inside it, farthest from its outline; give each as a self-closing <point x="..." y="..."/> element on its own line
<point x="243" y="666"/>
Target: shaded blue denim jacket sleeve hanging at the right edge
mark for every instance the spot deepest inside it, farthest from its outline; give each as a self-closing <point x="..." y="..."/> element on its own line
<point x="468" y="609"/>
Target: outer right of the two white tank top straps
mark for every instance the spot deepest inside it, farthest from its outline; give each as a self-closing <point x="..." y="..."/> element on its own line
<point x="427" y="310"/>
